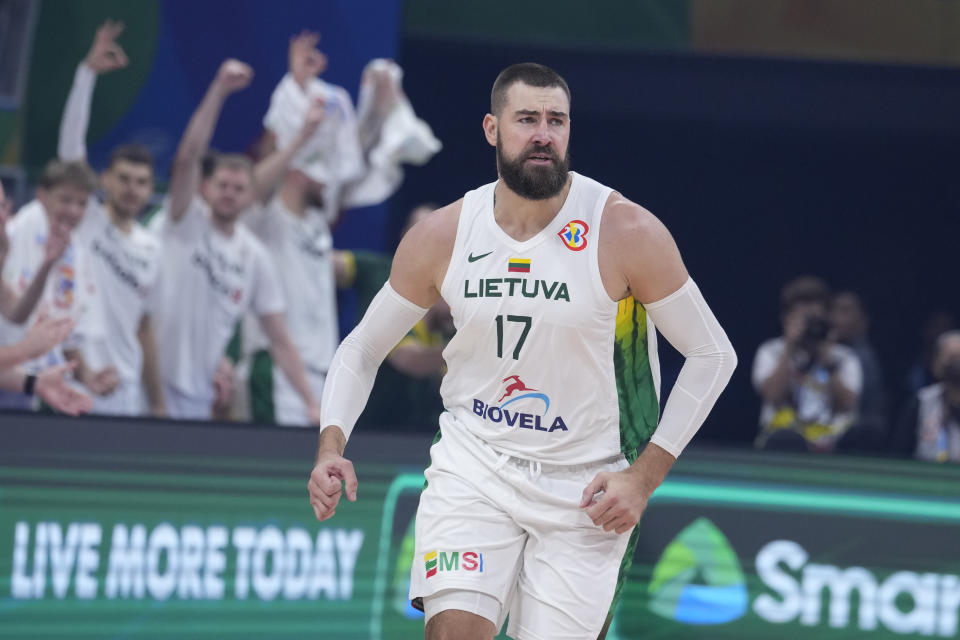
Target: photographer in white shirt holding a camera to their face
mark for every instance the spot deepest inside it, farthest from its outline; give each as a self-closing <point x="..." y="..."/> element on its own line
<point x="810" y="385"/>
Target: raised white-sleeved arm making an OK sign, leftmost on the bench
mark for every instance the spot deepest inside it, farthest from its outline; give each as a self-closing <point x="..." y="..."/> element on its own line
<point x="105" y="55"/>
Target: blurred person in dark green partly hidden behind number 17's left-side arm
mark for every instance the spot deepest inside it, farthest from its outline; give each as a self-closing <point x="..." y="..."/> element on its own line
<point x="406" y="392"/>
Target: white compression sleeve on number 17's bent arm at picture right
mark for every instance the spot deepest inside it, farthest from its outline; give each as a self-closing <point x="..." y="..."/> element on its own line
<point x="687" y="323"/>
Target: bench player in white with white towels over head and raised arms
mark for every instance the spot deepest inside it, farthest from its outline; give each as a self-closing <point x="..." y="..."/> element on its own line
<point x="331" y="163"/>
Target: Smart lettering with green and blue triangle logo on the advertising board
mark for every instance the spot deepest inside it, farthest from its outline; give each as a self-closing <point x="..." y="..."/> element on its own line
<point x="698" y="581"/>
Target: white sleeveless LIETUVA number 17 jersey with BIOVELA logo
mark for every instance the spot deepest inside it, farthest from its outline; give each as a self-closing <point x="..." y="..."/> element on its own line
<point x="544" y="365"/>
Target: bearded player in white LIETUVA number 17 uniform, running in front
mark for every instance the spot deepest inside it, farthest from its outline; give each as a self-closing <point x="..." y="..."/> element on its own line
<point x="555" y="283"/>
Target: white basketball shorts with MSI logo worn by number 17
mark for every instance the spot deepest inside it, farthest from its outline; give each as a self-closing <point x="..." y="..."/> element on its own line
<point x="513" y="529"/>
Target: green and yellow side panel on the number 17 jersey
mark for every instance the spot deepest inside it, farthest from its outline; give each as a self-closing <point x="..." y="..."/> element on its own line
<point x="639" y="406"/>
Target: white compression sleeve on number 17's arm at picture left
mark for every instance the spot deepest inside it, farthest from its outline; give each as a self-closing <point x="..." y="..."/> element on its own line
<point x="354" y="368"/>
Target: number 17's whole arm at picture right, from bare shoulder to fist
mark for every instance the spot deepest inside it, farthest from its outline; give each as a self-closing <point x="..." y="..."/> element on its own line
<point x="638" y="257"/>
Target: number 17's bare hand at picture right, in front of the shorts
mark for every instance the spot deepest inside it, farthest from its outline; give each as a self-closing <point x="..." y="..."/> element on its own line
<point x="622" y="502"/>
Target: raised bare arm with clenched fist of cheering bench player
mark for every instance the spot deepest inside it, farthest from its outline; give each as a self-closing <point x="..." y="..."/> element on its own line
<point x="232" y="76"/>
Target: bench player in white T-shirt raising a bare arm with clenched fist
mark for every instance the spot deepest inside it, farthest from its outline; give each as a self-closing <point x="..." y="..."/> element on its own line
<point x="214" y="269"/>
